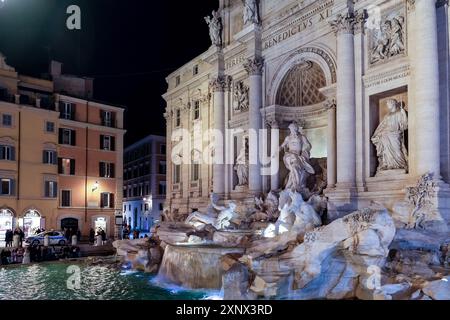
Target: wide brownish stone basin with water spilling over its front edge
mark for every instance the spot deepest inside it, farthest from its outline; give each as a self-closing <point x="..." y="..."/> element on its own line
<point x="195" y="266"/>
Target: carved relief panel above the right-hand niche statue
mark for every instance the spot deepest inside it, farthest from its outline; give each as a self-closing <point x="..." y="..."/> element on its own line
<point x="390" y="40"/>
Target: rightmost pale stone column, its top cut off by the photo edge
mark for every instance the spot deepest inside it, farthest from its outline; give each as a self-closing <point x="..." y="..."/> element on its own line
<point x="426" y="73"/>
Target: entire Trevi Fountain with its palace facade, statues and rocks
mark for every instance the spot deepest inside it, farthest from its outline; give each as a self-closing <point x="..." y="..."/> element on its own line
<point x="354" y="95"/>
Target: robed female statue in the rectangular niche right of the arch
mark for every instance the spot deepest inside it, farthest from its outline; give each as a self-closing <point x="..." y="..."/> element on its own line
<point x="389" y="138"/>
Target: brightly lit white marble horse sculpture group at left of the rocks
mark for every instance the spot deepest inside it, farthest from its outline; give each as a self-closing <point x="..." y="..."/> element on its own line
<point x="220" y="222"/>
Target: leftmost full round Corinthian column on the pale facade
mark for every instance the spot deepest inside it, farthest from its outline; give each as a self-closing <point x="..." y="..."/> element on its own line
<point x="219" y="86"/>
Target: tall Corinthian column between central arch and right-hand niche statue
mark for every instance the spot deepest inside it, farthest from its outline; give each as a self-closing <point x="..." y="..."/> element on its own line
<point x="343" y="25"/>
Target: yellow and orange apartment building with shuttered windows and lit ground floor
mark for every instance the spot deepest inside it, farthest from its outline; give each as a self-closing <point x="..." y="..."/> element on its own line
<point x="60" y="157"/>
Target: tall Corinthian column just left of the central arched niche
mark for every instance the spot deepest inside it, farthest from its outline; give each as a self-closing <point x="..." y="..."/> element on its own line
<point x="254" y="67"/>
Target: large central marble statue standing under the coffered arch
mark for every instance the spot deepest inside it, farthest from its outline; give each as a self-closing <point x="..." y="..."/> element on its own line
<point x="296" y="158"/>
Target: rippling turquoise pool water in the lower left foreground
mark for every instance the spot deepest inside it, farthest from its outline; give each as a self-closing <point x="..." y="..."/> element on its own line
<point x="49" y="281"/>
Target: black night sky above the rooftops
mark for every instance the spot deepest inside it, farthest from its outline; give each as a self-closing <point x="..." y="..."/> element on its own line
<point x="128" y="46"/>
